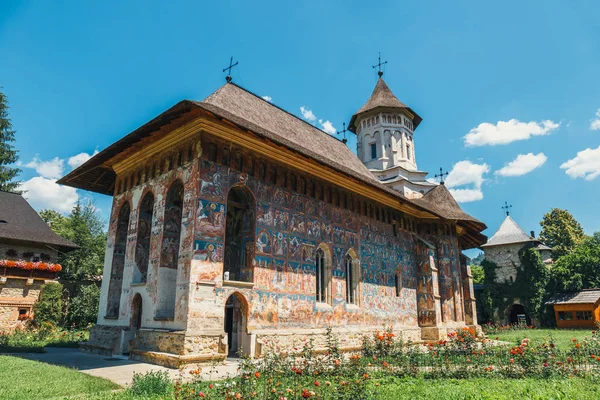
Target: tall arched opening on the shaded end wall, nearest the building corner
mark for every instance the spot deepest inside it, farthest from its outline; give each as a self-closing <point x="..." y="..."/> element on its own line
<point x="169" y="252"/>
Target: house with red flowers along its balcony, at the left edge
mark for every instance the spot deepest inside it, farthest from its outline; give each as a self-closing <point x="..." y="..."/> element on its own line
<point x="28" y="253"/>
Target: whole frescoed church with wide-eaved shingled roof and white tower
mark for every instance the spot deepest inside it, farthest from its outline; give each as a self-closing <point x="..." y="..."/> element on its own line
<point x="235" y="223"/>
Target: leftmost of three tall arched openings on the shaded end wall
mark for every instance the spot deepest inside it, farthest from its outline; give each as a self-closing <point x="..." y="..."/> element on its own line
<point x="115" y="285"/>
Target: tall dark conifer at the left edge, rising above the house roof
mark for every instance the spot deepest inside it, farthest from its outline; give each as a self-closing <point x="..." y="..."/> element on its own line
<point x="8" y="154"/>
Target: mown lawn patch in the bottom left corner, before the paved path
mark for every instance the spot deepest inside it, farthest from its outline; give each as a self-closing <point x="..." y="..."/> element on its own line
<point x="26" y="379"/>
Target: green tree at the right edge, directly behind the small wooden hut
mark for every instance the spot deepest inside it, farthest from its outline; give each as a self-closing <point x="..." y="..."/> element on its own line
<point x="579" y="269"/>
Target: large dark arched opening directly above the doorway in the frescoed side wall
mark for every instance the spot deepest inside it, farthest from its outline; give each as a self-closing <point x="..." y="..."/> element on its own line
<point x="239" y="235"/>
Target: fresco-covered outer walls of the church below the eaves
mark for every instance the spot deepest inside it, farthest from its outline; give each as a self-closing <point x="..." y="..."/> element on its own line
<point x="276" y="287"/>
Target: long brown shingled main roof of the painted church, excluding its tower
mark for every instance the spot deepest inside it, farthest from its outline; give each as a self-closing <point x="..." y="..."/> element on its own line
<point x="251" y="113"/>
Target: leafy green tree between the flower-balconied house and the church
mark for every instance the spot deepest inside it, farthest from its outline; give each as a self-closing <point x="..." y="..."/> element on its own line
<point x="84" y="227"/>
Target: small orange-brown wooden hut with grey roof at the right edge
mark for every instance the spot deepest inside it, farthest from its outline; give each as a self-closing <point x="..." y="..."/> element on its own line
<point x="577" y="309"/>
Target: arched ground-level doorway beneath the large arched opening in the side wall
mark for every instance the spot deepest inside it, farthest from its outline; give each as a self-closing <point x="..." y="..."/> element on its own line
<point x="236" y="309"/>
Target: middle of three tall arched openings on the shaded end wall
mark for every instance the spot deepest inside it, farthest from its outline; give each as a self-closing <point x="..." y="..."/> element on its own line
<point x="142" y="245"/>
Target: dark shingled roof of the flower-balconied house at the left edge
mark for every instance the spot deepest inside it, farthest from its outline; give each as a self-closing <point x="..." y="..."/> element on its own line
<point x="20" y="222"/>
